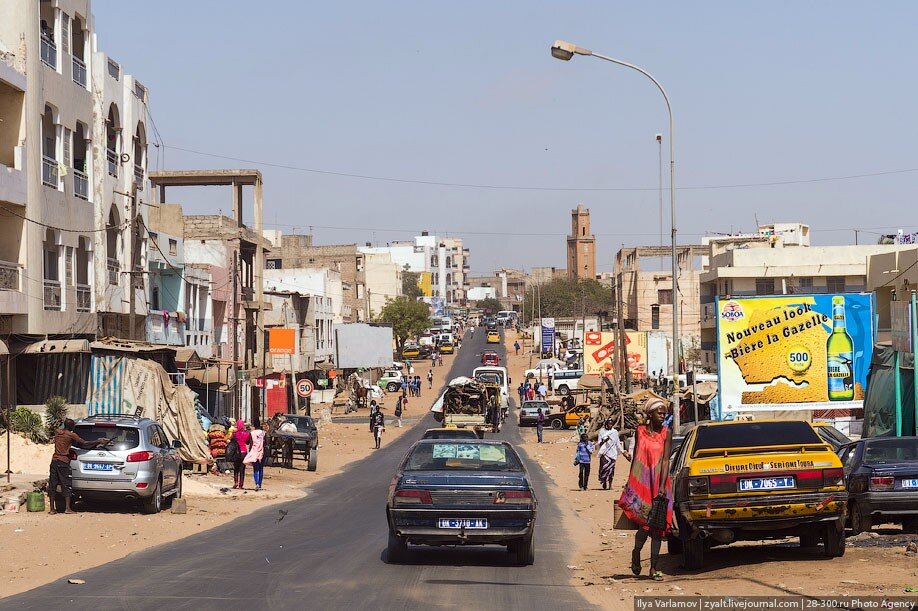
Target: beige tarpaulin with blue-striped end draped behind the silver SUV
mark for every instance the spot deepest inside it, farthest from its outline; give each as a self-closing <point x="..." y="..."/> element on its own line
<point x="120" y="384"/>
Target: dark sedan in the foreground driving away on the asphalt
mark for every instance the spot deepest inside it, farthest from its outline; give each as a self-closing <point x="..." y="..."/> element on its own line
<point x="461" y="492"/>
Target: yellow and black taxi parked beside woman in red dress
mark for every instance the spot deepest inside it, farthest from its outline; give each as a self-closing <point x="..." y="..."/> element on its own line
<point x="756" y="480"/>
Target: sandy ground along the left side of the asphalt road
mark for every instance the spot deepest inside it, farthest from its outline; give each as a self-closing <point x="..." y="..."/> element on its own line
<point x="37" y="548"/>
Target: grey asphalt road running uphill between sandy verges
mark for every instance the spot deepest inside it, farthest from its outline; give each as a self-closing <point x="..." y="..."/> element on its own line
<point x="328" y="553"/>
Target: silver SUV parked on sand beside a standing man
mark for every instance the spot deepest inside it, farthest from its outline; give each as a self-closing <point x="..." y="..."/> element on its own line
<point x="139" y="463"/>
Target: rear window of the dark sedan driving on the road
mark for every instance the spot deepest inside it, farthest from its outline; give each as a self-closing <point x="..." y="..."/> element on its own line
<point x="459" y="456"/>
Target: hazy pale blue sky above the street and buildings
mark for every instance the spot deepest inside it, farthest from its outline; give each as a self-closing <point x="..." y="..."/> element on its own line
<point x="468" y="93"/>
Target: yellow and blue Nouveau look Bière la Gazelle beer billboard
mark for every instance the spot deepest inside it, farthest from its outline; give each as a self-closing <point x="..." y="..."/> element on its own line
<point x="793" y="352"/>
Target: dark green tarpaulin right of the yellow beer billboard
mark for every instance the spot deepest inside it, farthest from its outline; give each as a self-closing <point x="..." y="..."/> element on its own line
<point x="880" y="401"/>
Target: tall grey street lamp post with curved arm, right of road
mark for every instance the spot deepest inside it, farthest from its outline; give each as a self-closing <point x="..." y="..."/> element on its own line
<point x="565" y="51"/>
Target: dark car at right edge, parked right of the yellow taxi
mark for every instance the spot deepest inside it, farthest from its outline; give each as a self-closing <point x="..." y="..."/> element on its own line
<point x="882" y="479"/>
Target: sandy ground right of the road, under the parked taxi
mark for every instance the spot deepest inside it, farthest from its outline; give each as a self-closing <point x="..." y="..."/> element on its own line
<point x="873" y="564"/>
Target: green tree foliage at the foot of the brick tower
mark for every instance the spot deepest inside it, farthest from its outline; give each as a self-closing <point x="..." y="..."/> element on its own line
<point x="568" y="298"/>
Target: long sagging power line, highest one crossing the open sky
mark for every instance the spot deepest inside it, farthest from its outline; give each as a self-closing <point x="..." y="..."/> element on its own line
<point x="437" y="183"/>
